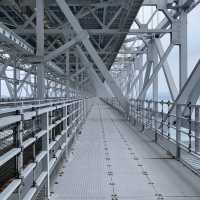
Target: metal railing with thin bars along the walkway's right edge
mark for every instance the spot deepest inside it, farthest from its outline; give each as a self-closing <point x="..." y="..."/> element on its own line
<point x="174" y="127"/>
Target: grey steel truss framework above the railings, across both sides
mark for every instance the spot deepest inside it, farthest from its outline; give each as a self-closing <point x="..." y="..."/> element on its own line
<point x="105" y="23"/>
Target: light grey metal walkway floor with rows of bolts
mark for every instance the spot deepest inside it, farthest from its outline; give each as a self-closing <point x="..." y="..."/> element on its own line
<point x="110" y="158"/>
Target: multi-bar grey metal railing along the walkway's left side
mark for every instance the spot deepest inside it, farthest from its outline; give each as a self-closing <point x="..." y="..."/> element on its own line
<point x="35" y="136"/>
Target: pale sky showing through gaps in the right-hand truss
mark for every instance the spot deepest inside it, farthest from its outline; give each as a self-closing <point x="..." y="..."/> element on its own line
<point x="173" y="58"/>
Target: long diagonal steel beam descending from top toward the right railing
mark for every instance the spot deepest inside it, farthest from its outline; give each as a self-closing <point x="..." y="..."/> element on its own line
<point x="92" y="52"/>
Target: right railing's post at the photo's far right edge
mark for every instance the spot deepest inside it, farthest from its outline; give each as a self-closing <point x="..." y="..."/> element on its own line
<point x="197" y="130"/>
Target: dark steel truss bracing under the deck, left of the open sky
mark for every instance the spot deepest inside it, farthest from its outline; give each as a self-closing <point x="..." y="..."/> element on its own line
<point x="50" y="35"/>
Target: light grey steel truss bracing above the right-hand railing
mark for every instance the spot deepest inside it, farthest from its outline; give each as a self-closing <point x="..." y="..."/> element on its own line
<point x="146" y="55"/>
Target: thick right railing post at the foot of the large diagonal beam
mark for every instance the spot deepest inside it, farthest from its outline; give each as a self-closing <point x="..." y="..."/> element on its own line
<point x="178" y="131"/>
